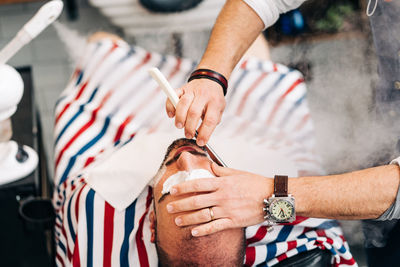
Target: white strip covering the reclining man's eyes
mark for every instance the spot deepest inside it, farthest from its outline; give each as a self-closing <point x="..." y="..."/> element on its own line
<point x="183" y="176"/>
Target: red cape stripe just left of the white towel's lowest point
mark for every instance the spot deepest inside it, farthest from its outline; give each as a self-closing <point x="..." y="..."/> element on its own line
<point x="108" y="234"/>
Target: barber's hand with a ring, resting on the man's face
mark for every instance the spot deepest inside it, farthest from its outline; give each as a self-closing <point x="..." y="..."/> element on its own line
<point x="236" y="199"/>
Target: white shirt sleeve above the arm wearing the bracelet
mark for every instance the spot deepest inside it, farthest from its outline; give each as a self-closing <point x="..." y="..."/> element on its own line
<point x="269" y="10"/>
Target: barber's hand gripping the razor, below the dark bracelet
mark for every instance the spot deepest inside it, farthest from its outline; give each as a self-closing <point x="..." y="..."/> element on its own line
<point x="200" y="98"/>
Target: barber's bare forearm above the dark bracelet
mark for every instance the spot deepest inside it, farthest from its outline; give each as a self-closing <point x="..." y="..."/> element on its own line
<point x="236" y="28"/>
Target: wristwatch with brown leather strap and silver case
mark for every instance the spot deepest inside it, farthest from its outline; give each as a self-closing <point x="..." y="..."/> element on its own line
<point x="280" y="208"/>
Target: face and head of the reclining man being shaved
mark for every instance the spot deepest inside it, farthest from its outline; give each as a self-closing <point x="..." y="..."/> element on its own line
<point x="176" y="245"/>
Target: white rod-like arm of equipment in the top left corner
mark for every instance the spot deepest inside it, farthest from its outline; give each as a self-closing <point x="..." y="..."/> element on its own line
<point x="46" y="15"/>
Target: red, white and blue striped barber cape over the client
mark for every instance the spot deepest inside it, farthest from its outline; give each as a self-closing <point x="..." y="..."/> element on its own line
<point x="110" y="97"/>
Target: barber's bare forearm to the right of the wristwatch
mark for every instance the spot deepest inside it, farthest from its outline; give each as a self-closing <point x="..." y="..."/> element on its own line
<point x="364" y="194"/>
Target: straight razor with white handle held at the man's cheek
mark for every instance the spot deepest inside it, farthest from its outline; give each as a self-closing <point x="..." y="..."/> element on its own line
<point x="173" y="97"/>
